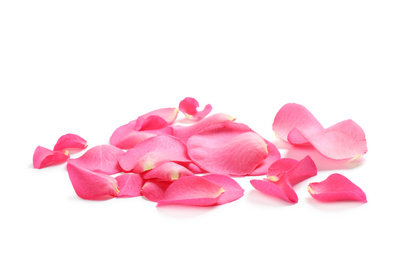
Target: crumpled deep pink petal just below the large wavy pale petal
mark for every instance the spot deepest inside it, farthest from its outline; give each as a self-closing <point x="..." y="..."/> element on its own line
<point x="296" y="171"/>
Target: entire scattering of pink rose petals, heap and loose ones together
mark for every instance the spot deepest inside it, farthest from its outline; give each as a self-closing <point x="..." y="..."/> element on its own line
<point x="171" y="163"/>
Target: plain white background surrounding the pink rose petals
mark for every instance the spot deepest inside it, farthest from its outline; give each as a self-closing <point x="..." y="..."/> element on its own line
<point x="87" y="67"/>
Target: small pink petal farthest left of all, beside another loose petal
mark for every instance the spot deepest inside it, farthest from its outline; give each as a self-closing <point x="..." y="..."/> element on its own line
<point x="43" y="157"/>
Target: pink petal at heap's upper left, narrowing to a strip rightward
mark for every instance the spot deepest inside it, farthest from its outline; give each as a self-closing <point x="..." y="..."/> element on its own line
<point x="126" y="137"/>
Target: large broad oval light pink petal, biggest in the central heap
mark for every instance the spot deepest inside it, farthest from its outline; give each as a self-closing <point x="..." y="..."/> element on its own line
<point x="229" y="148"/>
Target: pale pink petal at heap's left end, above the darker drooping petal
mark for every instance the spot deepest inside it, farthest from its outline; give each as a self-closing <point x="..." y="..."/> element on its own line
<point x="101" y="158"/>
